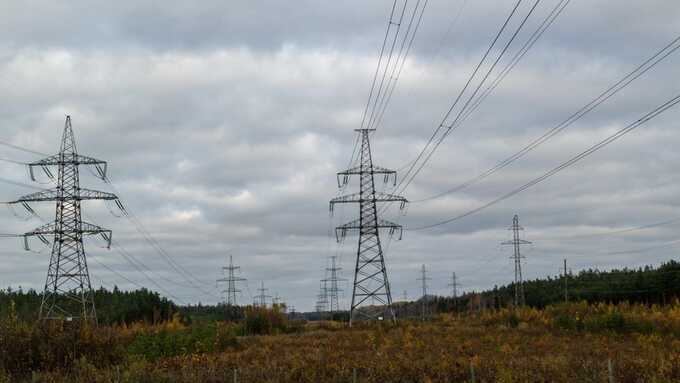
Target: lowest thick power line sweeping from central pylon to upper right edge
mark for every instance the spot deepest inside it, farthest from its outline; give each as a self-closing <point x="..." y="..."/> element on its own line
<point x="642" y="120"/>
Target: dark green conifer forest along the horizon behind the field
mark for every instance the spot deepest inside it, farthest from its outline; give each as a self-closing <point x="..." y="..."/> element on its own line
<point x="648" y="285"/>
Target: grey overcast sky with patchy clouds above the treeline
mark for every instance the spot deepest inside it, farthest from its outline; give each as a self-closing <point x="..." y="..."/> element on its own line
<point x="224" y="124"/>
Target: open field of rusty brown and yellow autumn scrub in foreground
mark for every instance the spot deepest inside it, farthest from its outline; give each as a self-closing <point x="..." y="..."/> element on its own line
<point x="570" y="343"/>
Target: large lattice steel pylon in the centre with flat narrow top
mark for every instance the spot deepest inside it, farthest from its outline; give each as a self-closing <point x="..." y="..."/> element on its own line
<point x="370" y="274"/>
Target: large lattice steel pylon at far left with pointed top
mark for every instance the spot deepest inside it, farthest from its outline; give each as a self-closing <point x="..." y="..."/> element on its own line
<point x="68" y="291"/>
